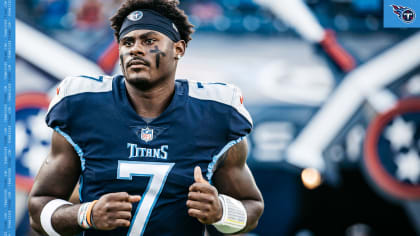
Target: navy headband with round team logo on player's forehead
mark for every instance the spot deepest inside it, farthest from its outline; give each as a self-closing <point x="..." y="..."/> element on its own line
<point x="149" y="19"/>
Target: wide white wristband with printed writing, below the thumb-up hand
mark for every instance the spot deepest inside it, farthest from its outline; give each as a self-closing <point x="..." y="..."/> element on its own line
<point x="234" y="215"/>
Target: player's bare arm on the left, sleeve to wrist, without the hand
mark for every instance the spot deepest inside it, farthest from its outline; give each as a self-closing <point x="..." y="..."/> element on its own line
<point x="56" y="179"/>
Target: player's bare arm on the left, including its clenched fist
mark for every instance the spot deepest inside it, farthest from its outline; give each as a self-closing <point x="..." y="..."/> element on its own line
<point x="57" y="179"/>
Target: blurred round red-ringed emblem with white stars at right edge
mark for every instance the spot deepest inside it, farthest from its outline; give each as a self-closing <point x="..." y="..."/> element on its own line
<point x="392" y="150"/>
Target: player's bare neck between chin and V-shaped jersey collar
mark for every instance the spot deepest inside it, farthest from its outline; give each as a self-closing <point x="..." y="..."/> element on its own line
<point x="152" y="102"/>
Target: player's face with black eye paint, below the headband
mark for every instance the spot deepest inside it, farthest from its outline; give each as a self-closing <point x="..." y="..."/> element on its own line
<point x="148" y="57"/>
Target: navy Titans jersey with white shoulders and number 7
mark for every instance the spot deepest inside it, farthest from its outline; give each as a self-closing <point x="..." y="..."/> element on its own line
<point x="119" y="151"/>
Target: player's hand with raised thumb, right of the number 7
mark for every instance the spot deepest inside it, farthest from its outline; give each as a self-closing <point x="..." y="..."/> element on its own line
<point x="203" y="201"/>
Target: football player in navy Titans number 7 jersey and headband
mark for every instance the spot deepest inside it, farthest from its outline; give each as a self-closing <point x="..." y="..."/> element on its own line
<point x="153" y="155"/>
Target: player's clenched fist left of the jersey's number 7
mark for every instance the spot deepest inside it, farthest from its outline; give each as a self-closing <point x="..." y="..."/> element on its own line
<point x="113" y="210"/>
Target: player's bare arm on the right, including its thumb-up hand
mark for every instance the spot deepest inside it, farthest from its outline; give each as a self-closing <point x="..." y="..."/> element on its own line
<point x="233" y="178"/>
